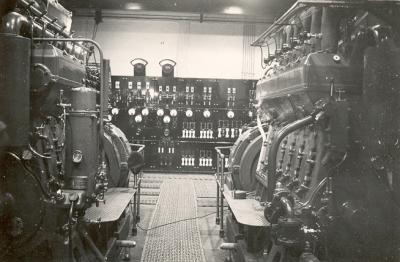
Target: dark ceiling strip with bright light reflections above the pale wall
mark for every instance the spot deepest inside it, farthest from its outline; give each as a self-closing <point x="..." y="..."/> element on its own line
<point x="227" y="7"/>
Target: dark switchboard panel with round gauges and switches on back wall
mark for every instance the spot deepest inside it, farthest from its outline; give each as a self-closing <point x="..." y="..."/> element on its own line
<point x="181" y="120"/>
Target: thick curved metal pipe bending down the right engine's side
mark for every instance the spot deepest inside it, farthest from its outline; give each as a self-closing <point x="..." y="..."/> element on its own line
<point x="274" y="148"/>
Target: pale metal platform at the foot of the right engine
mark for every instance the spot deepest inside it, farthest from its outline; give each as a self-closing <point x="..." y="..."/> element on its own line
<point x="247" y="211"/>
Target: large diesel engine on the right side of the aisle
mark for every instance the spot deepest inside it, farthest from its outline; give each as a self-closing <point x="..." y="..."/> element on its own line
<point x="318" y="178"/>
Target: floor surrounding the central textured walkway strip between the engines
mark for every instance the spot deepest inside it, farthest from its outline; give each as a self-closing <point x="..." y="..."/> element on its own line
<point x="205" y="192"/>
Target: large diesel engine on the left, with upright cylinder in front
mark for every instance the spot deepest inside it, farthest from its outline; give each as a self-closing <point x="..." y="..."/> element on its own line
<point x="64" y="180"/>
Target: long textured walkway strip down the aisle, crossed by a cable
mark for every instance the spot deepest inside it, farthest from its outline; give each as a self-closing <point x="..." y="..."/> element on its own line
<point x="179" y="242"/>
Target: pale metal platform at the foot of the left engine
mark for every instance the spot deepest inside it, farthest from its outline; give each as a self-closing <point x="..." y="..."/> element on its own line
<point x="116" y="200"/>
